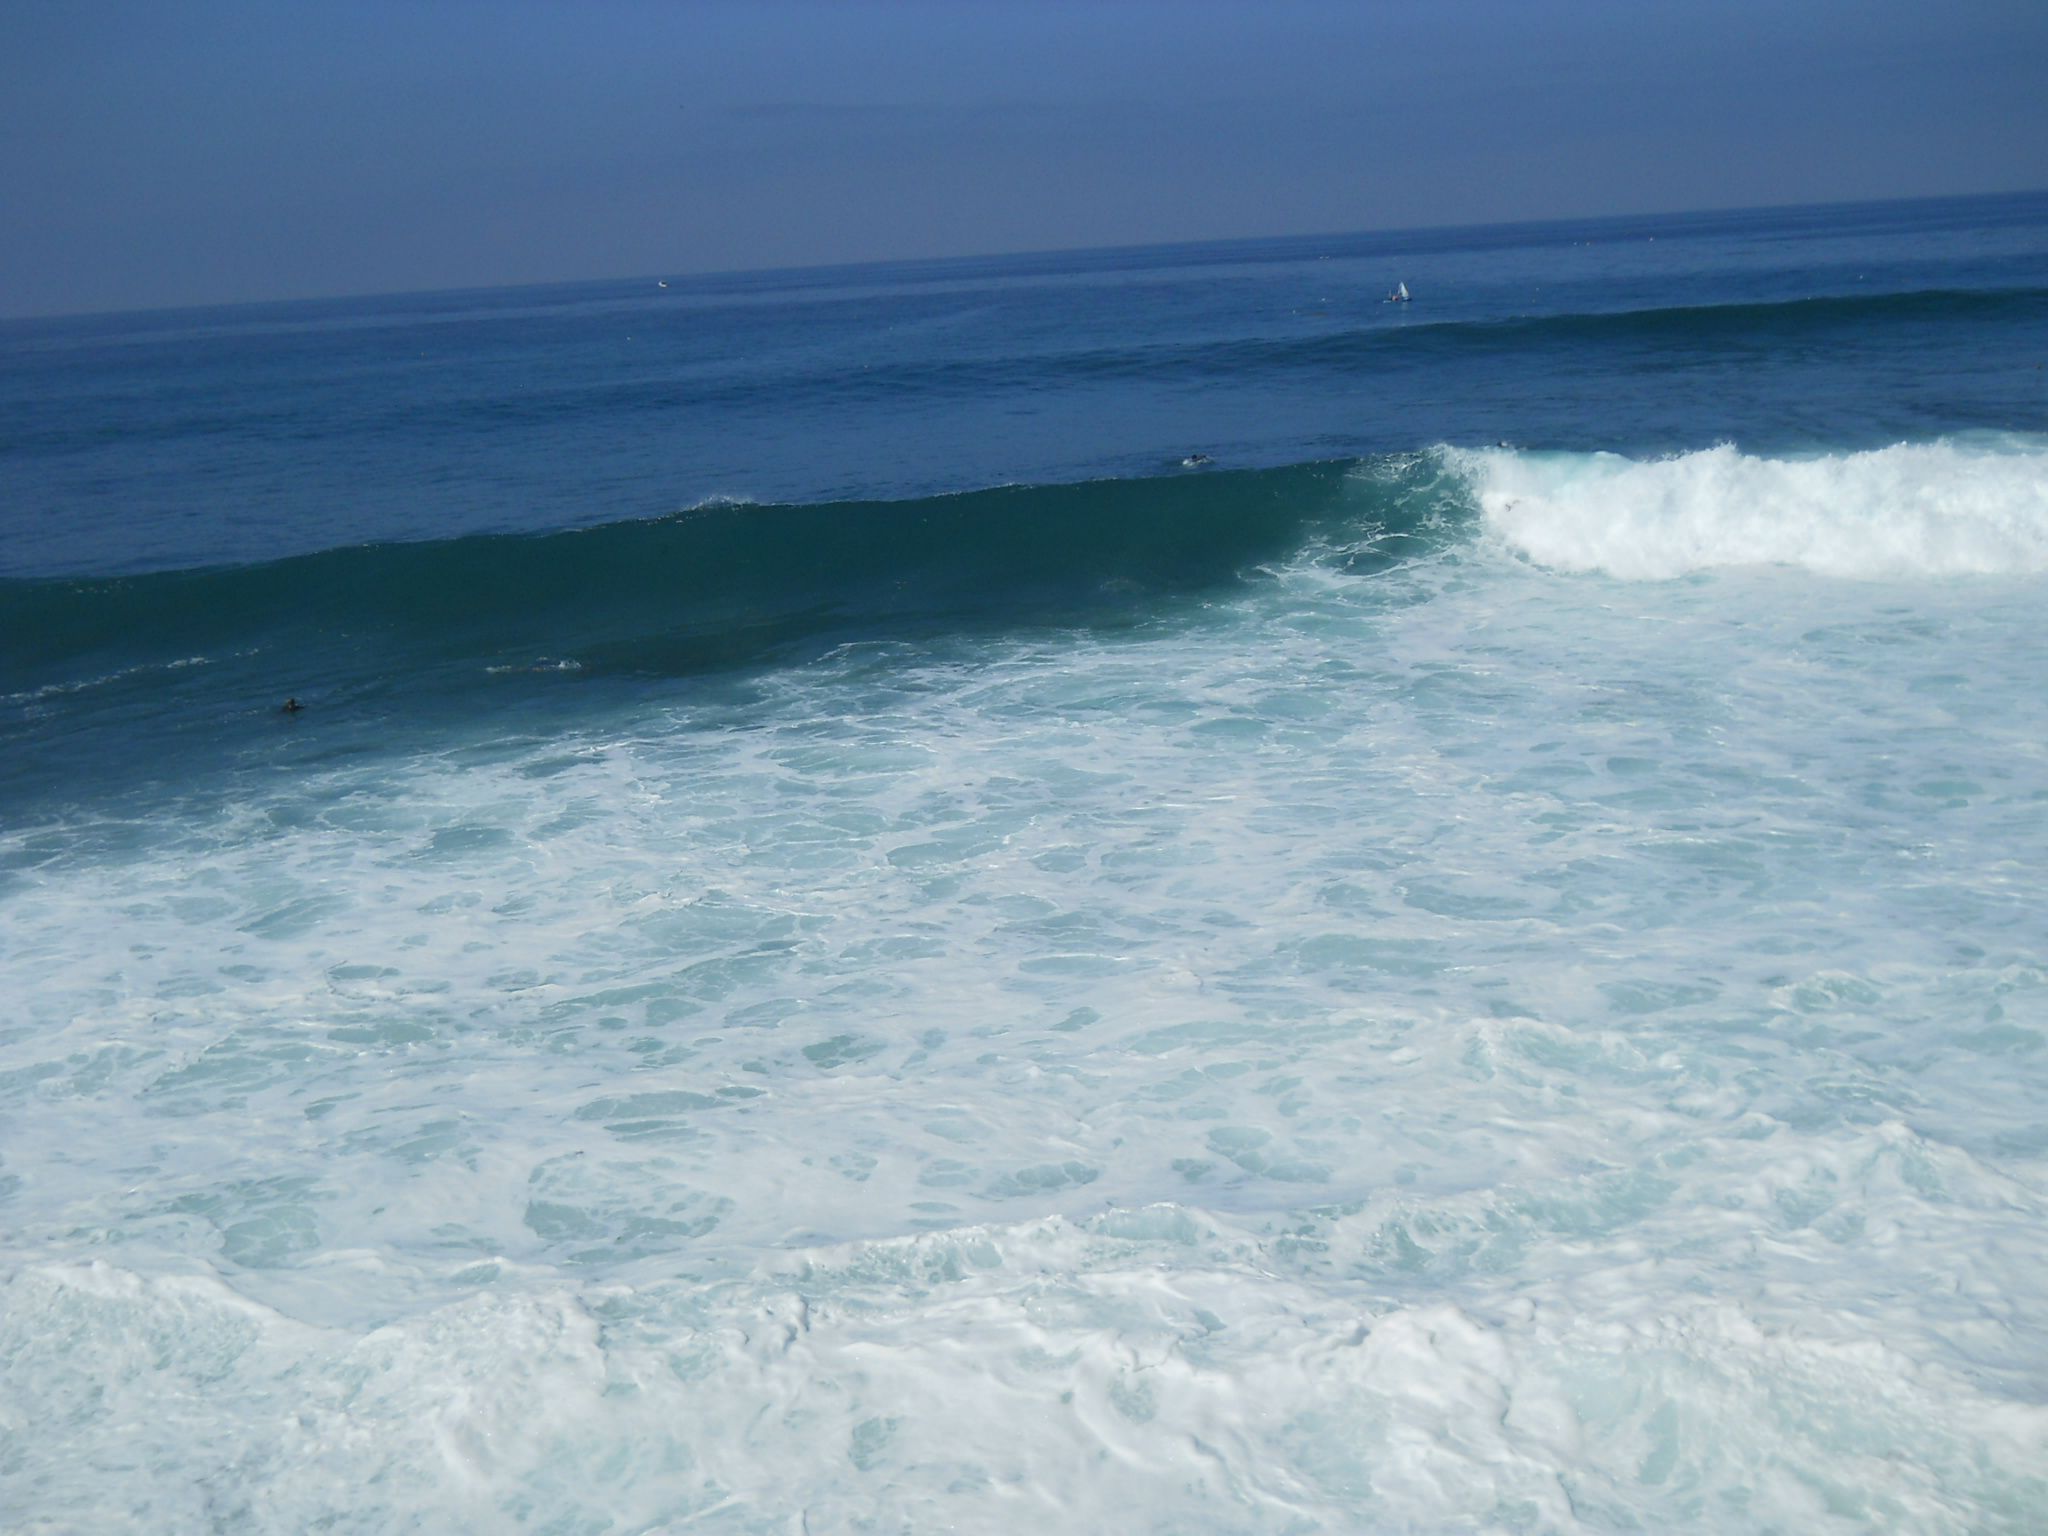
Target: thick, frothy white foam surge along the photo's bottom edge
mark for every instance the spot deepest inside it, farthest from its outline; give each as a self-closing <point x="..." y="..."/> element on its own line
<point x="1041" y="1373"/>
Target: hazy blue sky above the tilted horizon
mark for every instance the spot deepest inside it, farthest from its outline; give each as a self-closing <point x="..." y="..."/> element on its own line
<point x="183" y="153"/>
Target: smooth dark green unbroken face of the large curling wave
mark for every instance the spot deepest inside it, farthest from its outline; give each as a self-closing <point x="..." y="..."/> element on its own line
<point x="726" y="585"/>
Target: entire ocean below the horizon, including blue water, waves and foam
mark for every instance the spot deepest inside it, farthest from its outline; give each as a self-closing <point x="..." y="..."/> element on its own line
<point x="1080" y="892"/>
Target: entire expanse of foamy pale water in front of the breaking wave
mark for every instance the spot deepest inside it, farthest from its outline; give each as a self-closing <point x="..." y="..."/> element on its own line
<point x="1455" y="1050"/>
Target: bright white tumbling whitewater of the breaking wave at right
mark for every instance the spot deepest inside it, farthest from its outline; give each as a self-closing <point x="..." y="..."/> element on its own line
<point x="1908" y="511"/>
